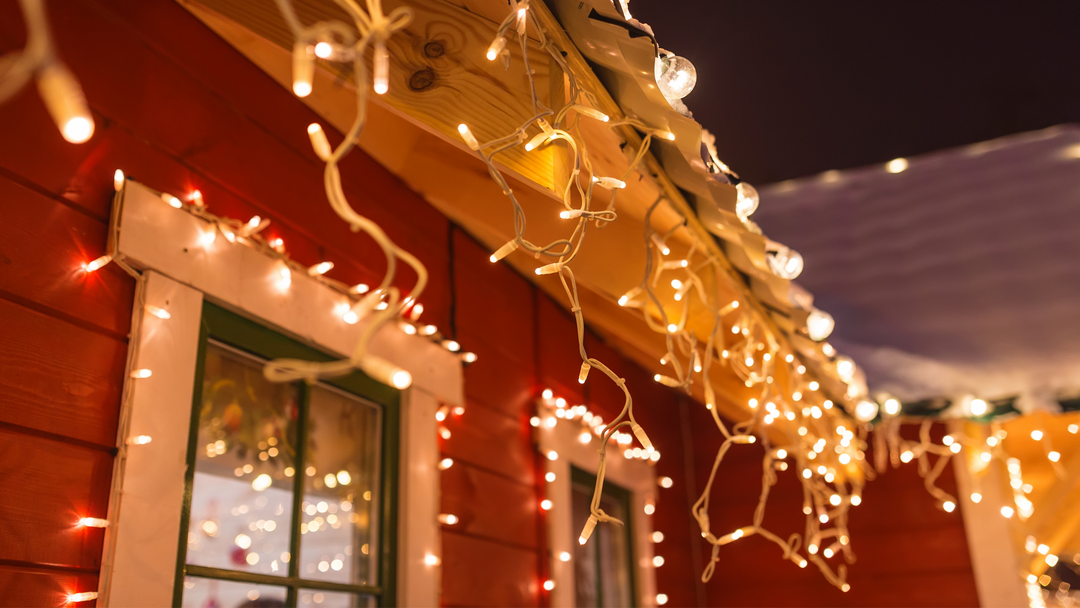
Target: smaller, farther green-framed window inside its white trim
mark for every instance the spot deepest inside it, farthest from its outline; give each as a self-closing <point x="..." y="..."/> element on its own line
<point x="603" y="575"/>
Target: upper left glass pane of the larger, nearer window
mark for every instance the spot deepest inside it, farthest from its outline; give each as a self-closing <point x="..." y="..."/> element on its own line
<point x="242" y="505"/>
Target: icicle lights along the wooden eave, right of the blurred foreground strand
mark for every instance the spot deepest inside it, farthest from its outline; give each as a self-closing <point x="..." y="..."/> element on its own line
<point x="753" y="355"/>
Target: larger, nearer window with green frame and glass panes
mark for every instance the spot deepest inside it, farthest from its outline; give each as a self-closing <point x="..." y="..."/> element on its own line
<point x="291" y="490"/>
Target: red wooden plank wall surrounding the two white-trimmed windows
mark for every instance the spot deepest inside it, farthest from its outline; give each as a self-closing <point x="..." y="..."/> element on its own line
<point x="179" y="110"/>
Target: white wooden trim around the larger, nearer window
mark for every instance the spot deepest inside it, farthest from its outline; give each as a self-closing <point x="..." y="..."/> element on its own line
<point x="141" y="547"/>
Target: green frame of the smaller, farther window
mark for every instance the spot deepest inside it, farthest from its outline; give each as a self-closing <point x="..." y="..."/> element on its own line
<point x="583" y="484"/>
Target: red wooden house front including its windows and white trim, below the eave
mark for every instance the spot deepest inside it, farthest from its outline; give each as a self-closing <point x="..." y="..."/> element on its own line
<point x="179" y="110"/>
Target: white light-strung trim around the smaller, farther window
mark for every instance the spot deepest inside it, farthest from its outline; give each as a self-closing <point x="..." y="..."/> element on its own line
<point x="634" y="476"/>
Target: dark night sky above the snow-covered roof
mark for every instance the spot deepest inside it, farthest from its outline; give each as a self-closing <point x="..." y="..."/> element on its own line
<point x="793" y="89"/>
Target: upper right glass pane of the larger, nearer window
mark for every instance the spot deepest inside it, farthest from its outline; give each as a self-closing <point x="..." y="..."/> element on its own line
<point x="339" y="541"/>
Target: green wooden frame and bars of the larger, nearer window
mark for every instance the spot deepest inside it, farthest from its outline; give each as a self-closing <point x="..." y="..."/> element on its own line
<point x="232" y="330"/>
